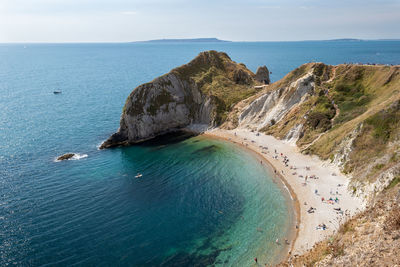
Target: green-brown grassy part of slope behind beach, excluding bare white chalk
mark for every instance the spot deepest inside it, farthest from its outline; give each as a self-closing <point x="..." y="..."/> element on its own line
<point x="352" y="116"/>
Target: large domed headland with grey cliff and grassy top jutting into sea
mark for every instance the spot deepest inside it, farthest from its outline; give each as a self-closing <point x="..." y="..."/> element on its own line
<point x="200" y="92"/>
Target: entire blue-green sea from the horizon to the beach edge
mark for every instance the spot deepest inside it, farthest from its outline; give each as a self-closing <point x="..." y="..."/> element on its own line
<point x="200" y="201"/>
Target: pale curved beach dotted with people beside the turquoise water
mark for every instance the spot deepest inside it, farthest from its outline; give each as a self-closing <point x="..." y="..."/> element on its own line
<point x="318" y="188"/>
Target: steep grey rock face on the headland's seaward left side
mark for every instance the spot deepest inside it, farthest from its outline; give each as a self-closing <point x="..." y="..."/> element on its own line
<point x="161" y="106"/>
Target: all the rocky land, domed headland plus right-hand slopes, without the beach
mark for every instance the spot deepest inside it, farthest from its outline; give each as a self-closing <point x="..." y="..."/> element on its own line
<point x="346" y="115"/>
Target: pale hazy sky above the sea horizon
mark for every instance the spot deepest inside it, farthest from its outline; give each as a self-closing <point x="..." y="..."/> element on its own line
<point x="250" y="20"/>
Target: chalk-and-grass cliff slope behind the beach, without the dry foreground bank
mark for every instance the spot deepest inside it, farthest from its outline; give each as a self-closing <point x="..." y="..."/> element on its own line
<point x="347" y="114"/>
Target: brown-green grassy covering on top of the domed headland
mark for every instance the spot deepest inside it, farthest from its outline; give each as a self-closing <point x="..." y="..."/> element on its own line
<point x="213" y="73"/>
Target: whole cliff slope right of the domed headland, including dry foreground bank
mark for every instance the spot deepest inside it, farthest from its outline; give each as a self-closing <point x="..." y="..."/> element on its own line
<point x="348" y="115"/>
